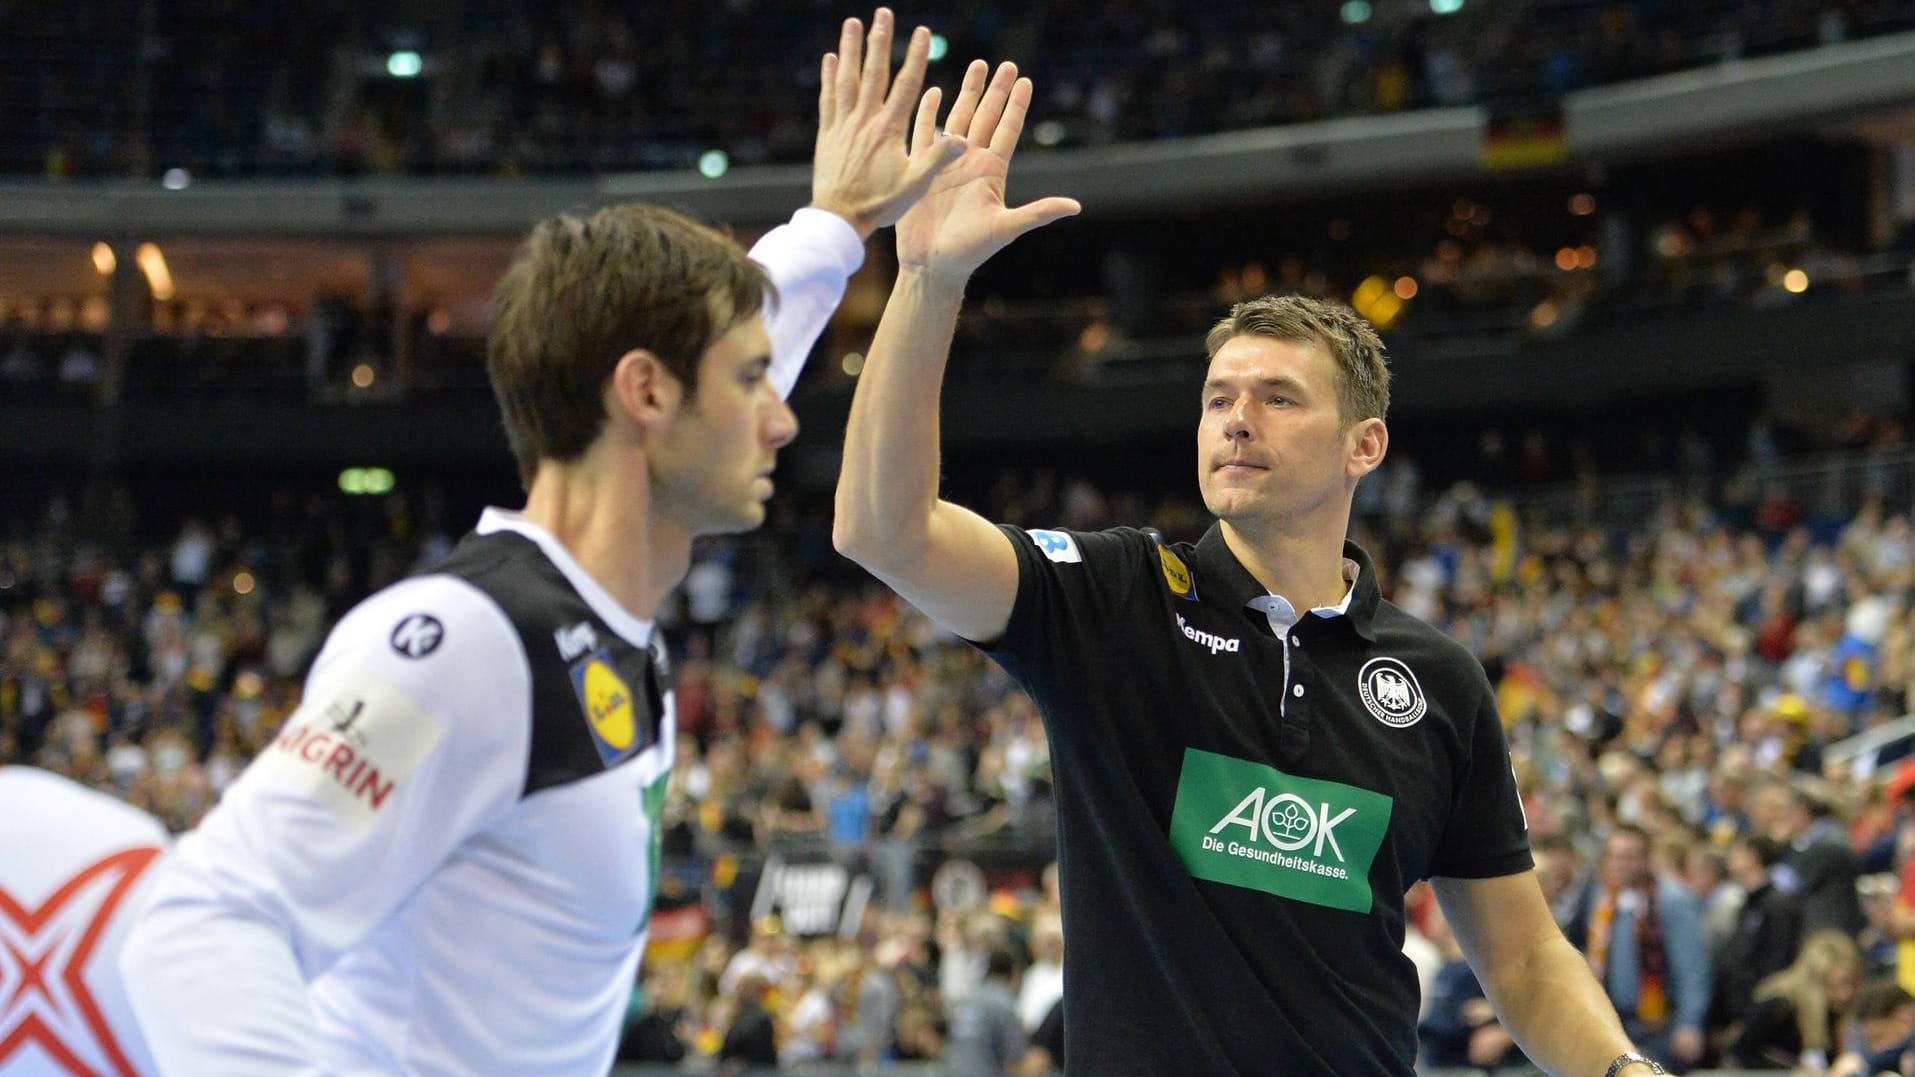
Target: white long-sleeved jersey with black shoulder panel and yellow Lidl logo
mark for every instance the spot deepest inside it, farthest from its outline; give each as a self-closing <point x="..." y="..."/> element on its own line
<point x="447" y="859"/>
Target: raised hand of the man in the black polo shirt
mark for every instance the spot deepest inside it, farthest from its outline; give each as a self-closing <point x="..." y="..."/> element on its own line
<point x="964" y="221"/>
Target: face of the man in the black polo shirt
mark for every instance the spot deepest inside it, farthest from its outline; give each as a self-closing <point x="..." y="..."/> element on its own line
<point x="1273" y="446"/>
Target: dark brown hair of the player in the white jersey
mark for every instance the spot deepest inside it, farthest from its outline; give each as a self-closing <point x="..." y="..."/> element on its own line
<point x="583" y="292"/>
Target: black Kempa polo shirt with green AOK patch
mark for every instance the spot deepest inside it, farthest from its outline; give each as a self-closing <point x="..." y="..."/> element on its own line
<point x="1238" y="813"/>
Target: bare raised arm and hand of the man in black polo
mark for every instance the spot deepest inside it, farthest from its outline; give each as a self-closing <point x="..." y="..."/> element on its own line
<point x="943" y="559"/>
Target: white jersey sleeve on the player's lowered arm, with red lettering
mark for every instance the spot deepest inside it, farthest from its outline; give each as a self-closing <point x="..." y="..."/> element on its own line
<point x="413" y="735"/>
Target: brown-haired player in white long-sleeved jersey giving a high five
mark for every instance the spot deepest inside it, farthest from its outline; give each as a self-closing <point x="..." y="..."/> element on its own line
<point x="447" y="859"/>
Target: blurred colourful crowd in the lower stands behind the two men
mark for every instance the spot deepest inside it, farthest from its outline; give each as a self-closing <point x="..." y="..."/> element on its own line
<point x="1675" y="689"/>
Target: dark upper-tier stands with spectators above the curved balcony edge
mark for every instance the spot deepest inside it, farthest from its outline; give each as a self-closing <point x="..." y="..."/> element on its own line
<point x="505" y="87"/>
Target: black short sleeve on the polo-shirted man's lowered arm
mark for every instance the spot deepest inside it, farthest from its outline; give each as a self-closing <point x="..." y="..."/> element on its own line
<point x="1487" y="835"/>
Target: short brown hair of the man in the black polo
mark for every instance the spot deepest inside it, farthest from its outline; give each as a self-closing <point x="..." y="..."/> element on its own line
<point x="1363" y="371"/>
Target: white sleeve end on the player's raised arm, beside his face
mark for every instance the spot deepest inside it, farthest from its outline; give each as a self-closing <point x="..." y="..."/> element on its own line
<point x="809" y="262"/>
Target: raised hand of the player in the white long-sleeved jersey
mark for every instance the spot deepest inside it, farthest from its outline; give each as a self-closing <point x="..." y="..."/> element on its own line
<point x="863" y="170"/>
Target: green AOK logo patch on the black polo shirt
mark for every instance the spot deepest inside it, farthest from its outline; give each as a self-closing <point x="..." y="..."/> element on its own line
<point x="1248" y="825"/>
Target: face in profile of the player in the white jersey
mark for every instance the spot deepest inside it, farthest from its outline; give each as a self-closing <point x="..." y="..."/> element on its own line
<point x="719" y="455"/>
